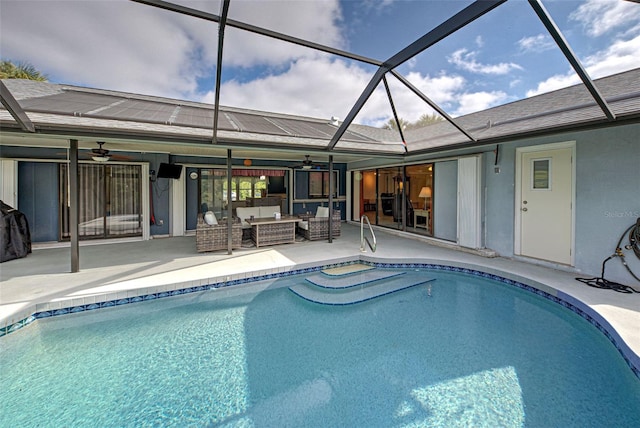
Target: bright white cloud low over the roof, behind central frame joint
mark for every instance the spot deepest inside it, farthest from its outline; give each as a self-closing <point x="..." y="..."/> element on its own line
<point x="309" y="87"/>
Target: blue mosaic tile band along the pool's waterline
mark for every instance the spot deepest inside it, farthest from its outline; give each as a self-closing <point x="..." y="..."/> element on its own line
<point x="119" y="299"/>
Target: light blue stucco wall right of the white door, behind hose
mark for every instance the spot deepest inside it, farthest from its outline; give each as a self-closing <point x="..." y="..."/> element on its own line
<point x="608" y="198"/>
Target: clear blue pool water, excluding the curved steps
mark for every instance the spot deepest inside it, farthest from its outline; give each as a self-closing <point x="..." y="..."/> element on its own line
<point x="459" y="351"/>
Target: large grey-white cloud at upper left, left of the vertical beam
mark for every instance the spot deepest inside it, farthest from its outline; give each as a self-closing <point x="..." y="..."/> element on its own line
<point x="115" y="45"/>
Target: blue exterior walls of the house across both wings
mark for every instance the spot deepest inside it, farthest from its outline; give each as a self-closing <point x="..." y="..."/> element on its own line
<point x="607" y="187"/>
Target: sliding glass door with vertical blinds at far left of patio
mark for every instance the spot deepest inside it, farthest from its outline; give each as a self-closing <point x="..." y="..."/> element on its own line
<point x="110" y="201"/>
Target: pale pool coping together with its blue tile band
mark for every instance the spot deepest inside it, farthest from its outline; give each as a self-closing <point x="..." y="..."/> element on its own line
<point x="64" y="306"/>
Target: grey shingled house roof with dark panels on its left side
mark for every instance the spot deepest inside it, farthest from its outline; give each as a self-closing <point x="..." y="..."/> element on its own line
<point x="56" y="108"/>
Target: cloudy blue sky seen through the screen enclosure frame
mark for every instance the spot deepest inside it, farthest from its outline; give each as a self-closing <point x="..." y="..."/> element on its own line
<point x="504" y="56"/>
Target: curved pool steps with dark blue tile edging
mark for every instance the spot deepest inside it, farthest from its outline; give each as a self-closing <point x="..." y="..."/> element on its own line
<point x="348" y="293"/>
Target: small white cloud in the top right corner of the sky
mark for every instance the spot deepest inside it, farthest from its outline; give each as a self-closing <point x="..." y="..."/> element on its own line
<point x="598" y="17"/>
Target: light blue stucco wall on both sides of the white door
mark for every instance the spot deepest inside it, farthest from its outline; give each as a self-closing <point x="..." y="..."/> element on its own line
<point x="607" y="196"/>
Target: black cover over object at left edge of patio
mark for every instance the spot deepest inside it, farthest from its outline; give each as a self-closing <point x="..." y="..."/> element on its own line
<point x="15" y="238"/>
